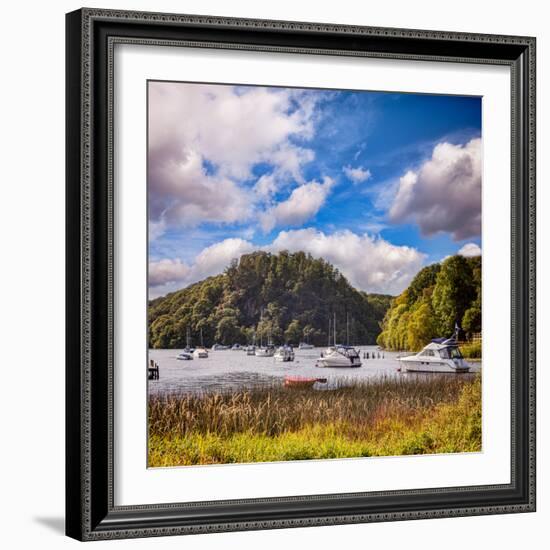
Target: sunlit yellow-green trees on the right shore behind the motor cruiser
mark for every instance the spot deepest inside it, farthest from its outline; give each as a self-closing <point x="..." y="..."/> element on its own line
<point x="439" y="296"/>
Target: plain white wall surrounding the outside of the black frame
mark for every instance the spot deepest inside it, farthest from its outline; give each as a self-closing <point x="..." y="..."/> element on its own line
<point x="32" y="305"/>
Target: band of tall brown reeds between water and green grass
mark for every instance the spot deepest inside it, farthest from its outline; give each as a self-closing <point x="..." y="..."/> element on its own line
<point x="274" y="410"/>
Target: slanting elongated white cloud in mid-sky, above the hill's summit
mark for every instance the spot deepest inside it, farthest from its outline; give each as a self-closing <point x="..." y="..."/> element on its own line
<point x="302" y="205"/>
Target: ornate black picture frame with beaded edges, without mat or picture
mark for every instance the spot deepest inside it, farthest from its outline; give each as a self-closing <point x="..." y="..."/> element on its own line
<point x="91" y="35"/>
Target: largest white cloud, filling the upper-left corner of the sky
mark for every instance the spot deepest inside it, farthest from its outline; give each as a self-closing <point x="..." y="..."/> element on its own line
<point x="204" y="141"/>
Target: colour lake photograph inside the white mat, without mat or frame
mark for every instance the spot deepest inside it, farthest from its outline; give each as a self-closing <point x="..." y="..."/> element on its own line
<point x="314" y="273"/>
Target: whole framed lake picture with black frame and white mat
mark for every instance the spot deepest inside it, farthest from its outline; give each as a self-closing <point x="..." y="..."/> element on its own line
<point x="300" y="274"/>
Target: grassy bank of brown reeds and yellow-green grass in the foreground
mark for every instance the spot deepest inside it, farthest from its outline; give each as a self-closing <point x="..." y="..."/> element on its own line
<point x="388" y="417"/>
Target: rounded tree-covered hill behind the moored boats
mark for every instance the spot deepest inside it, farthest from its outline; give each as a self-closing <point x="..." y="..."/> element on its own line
<point x="288" y="297"/>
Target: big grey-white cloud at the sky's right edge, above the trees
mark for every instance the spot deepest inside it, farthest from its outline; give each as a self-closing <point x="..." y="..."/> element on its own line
<point x="444" y="194"/>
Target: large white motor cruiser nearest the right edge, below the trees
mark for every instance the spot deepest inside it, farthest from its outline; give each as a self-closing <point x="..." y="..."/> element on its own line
<point x="440" y="355"/>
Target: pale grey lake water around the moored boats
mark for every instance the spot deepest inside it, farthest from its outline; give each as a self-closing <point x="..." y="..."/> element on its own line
<point x="234" y="370"/>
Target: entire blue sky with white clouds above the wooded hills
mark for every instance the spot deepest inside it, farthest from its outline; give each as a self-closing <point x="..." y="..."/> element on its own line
<point x="394" y="178"/>
